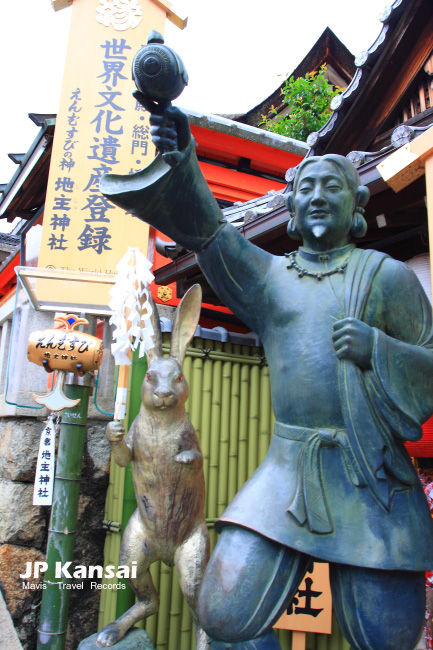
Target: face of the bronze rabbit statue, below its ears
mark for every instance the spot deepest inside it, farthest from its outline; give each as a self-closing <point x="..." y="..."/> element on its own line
<point x="164" y="385"/>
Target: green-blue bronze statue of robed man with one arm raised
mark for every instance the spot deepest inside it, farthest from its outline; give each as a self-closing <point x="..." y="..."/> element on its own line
<point x="349" y="342"/>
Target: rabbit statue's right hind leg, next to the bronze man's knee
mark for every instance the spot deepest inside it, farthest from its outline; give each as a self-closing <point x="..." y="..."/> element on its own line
<point x="191" y="559"/>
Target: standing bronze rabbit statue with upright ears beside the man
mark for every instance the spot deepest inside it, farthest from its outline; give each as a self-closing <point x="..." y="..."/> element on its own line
<point x="167" y="469"/>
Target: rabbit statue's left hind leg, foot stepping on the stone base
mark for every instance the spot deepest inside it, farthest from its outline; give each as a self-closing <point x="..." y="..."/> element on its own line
<point x="136" y="547"/>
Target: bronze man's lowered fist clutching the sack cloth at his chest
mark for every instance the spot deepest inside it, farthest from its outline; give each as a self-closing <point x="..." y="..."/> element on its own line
<point x="354" y="340"/>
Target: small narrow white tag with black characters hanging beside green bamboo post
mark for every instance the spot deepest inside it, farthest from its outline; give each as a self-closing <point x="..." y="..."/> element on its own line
<point x="44" y="479"/>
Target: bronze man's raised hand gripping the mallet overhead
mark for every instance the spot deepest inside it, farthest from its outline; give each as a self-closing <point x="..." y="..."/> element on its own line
<point x="170" y="129"/>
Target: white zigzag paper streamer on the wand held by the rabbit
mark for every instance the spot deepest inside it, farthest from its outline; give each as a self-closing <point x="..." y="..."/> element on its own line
<point x="131" y="307"/>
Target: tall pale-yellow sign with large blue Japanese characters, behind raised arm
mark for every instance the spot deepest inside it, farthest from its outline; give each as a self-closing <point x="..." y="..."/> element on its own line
<point x="99" y="129"/>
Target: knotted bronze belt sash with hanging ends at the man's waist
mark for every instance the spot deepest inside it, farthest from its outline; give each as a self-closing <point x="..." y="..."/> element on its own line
<point x="309" y="503"/>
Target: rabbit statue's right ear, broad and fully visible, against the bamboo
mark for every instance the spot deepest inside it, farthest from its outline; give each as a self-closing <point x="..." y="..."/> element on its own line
<point x="185" y="322"/>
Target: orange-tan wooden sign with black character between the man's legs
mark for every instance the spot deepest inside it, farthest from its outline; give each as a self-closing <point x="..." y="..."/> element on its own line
<point x="311" y="607"/>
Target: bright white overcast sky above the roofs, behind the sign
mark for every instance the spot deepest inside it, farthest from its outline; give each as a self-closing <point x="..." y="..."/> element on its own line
<point x="237" y="53"/>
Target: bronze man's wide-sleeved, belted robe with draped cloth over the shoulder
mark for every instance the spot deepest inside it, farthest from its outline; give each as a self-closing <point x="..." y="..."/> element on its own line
<point x="337" y="482"/>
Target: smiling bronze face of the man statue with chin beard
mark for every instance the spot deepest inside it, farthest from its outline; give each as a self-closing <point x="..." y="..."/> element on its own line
<point x="324" y="206"/>
